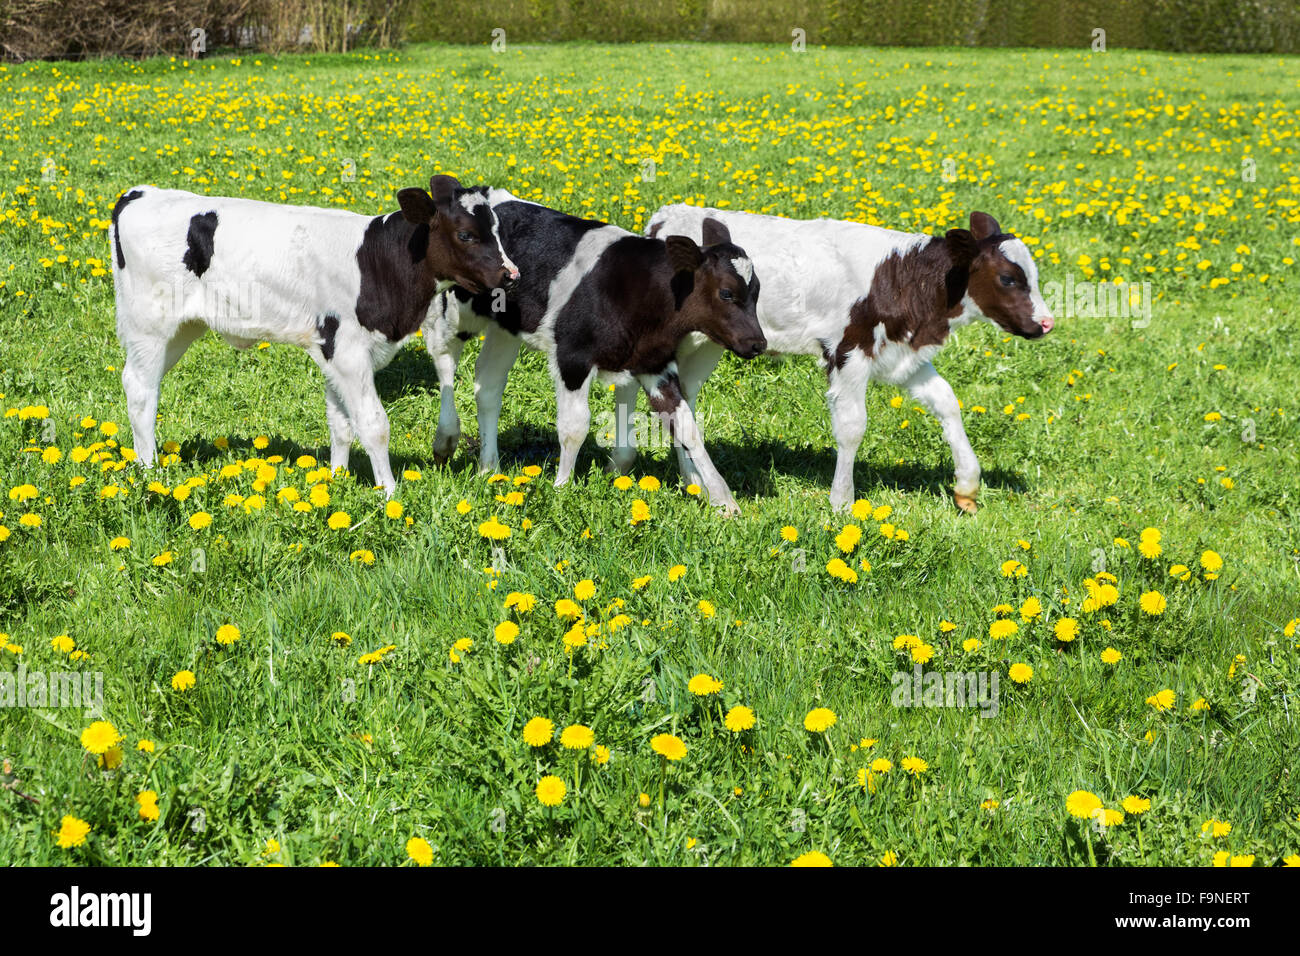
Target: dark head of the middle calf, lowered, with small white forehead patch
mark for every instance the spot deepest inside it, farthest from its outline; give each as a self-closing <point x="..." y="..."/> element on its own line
<point x="717" y="291"/>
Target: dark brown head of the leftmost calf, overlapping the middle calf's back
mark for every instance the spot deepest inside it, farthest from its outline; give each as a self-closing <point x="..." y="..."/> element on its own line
<point x="456" y="236"/>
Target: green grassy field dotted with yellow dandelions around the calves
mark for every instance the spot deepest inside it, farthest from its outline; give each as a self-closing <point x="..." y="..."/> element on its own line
<point x="294" y="747"/>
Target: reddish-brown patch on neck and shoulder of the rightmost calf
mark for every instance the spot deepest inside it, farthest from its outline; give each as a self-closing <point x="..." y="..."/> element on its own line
<point x="913" y="296"/>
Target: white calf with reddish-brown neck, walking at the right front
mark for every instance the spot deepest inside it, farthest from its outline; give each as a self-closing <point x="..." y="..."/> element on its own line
<point x="873" y="304"/>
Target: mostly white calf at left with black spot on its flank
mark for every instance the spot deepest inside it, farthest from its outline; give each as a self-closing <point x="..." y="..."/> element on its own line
<point x="346" y="288"/>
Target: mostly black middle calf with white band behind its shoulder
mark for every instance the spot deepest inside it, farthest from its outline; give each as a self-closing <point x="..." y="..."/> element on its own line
<point x="599" y="300"/>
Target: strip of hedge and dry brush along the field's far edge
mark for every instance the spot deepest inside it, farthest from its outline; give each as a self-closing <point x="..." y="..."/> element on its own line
<point x="58" y="29"/>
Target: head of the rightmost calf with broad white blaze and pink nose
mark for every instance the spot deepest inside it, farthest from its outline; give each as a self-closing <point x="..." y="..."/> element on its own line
<point x="1004" y="282"/>
